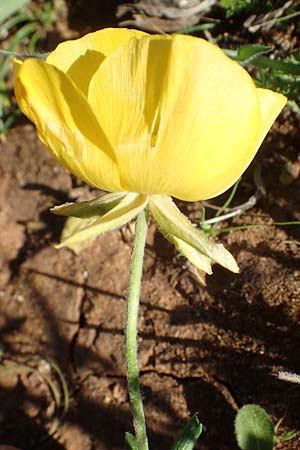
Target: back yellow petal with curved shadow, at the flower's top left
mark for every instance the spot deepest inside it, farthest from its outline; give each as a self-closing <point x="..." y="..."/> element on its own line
<point x="80" y="58"/>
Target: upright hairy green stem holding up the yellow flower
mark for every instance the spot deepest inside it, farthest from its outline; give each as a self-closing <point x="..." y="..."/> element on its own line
<point x="131" y="356"/>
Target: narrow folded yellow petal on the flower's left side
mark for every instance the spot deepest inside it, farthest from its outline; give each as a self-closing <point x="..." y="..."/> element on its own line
<point x="65" y="123"/>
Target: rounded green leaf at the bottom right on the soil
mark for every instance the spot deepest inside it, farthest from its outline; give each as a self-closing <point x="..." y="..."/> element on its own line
<point x="254" y="429"/>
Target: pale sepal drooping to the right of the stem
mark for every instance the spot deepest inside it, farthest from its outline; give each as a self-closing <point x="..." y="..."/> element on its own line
<point x="175" y="226"/>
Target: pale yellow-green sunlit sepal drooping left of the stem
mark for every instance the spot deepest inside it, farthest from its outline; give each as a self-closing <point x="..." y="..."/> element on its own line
<point x="77" y="230"/>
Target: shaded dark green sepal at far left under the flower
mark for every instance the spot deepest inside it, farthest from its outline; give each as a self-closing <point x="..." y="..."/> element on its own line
<point x="92" y="208"/>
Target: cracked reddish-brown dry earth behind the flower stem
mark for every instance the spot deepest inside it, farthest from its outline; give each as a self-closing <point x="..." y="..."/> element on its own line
<point x="205" y="350"/>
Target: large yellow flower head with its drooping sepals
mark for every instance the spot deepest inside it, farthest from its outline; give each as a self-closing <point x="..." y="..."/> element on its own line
<point x="146" y="118"/>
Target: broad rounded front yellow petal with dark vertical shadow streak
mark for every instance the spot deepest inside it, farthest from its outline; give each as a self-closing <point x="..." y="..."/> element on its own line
<point x="186" y="117"/>
